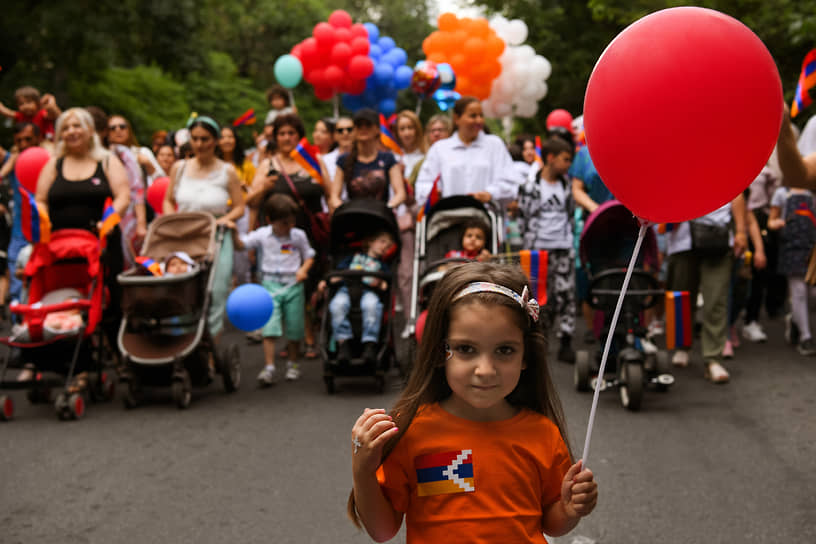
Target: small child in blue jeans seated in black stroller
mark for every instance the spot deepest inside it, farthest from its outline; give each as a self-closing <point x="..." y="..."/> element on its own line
<point x="375" y="248"/>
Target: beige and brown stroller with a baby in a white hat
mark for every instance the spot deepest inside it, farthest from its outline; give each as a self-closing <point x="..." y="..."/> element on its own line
<point x="163" y="337"/>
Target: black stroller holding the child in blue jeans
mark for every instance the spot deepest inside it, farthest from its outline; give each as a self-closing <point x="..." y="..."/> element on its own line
<point x="351" y="223"/>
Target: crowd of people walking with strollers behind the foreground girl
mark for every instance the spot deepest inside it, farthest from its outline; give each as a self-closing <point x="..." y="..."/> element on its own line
<point x="763" y="238"/>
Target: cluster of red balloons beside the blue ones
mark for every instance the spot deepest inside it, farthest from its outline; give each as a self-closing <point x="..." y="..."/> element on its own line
<point x="336" y="58"/>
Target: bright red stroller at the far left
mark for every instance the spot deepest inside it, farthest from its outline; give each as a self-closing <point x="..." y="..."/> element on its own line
<point x="64" y="275"/>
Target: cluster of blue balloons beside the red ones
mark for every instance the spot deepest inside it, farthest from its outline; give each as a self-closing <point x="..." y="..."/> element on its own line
<point x="390" y="74"/>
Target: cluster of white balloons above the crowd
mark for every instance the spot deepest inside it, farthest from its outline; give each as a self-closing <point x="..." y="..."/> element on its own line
<point x="523" y="79"/>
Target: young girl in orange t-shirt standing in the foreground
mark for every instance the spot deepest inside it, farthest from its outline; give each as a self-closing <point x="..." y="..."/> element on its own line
<point x="475" y="449"/>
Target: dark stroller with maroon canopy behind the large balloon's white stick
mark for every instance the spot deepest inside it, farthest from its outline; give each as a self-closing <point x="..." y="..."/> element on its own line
<point x="607" y="242"/>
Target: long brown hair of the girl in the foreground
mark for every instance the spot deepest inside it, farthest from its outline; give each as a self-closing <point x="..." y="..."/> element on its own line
<point x="427" y="384"/>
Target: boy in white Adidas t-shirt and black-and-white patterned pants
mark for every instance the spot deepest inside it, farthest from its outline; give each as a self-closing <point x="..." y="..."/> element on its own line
<point x="545" y="220"/>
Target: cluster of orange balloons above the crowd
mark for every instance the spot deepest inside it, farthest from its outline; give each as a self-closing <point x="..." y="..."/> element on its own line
<point x="471" y="48"/>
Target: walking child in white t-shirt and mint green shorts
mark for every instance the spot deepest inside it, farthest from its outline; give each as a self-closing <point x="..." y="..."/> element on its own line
<point x="286" y="258"/>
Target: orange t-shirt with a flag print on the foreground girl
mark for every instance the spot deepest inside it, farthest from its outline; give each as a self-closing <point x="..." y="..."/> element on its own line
<point x="458" y="480"/>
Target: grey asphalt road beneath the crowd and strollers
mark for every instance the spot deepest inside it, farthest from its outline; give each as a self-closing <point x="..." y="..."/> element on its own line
<point x="700" y="463"/>
